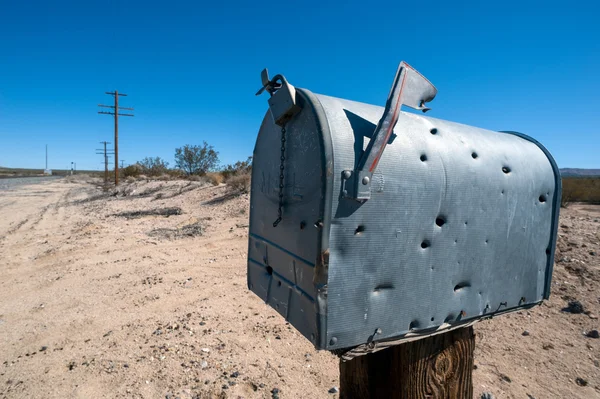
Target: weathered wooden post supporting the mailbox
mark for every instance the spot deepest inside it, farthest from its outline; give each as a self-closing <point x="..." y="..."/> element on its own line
<point x="439" y="366"/>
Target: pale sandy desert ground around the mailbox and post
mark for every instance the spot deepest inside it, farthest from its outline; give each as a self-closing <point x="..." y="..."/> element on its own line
<point x="97" y="305"/>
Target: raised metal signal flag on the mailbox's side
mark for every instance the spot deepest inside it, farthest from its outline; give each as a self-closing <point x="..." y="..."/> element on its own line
<point x="409" y="88"/>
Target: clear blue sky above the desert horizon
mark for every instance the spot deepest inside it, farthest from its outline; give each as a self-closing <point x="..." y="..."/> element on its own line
<point x="191" y="70"/>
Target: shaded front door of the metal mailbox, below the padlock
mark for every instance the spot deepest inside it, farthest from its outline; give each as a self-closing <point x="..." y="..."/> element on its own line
<point x="287" y="263"/>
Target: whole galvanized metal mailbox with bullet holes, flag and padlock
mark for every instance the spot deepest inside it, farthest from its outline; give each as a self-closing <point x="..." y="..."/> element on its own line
<point x="369" y="225"/>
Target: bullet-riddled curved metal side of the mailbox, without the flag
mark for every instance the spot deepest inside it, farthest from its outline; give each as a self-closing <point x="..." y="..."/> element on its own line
<point x="460" y="226"/>
